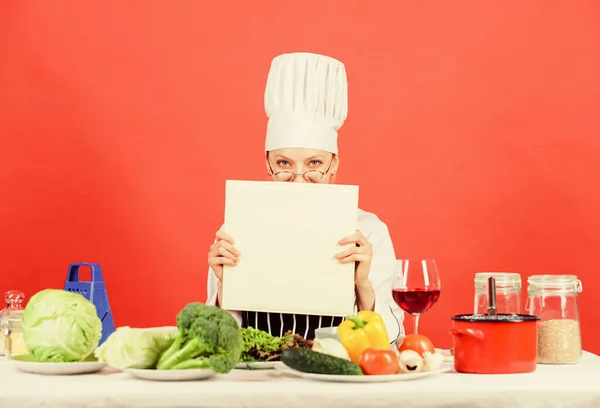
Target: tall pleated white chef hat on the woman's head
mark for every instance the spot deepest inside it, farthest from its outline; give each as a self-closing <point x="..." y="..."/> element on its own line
<point x="306" y="101"/>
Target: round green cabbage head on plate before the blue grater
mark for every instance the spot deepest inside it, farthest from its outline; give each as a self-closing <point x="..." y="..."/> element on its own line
<point x="60" y="326"/>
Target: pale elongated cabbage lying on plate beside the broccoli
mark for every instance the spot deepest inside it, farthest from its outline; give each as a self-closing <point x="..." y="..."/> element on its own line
<point x="136" y="348"/>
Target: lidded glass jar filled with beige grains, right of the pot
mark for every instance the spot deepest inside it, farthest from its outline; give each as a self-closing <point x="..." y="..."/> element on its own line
<point x="554" y="298"/>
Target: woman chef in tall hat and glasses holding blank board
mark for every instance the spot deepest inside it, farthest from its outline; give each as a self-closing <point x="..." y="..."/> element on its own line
<point x="306" y="101"/>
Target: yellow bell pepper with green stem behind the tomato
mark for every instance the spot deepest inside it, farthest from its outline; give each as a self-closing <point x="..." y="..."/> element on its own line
<point x="363" y="331"/>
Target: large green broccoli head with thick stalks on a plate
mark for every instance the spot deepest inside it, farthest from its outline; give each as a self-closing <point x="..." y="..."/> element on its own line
<point x="209" y="337"/>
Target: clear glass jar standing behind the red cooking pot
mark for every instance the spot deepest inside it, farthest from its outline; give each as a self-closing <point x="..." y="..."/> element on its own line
<point x="508" y="292"/>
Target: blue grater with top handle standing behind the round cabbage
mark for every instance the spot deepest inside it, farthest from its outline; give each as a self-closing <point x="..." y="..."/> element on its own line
<point x="95" y="292"/>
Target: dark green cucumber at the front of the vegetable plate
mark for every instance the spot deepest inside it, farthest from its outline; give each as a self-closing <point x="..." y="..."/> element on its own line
<point x="309" y="361"/>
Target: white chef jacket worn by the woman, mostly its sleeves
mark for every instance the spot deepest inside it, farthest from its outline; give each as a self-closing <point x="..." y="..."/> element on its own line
<point x="382" y="268"/>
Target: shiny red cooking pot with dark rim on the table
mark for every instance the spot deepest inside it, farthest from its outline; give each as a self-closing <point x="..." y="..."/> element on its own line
<point x="495" y="344"/>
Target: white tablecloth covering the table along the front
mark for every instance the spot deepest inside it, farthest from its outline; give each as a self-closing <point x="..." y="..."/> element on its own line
<point x="576" y="386"/>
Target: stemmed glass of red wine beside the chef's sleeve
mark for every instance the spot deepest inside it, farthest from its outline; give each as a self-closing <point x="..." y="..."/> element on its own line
<point x="416" y="286"/>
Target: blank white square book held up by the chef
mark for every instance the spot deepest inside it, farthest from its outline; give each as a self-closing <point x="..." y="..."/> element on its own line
<point x="287" y="235"/>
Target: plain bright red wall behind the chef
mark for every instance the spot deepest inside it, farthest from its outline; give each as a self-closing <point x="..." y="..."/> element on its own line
<point x="473" y="132"/>
